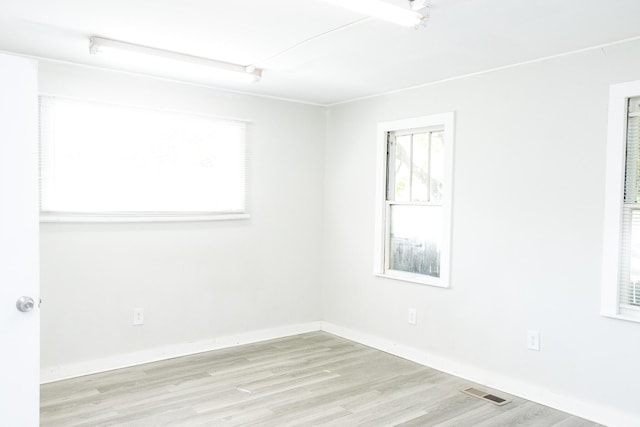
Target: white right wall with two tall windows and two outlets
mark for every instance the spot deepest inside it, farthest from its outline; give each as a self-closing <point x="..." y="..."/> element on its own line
<point x="527" y="235"/>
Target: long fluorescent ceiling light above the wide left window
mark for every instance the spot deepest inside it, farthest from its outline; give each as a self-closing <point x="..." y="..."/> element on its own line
<point x="171" y="64"/>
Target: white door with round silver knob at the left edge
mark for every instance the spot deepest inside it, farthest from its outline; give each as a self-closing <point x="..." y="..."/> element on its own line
<point x="19" y="275"/>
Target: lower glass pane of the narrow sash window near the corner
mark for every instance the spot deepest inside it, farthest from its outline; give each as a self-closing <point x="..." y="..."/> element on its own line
<point x="416" y="233"/>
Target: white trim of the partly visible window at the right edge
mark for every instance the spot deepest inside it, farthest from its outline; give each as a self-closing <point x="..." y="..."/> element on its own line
<point x="614" y="195"/>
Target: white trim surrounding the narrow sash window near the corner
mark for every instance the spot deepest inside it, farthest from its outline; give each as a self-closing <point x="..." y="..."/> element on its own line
<point x="445" y="121"/>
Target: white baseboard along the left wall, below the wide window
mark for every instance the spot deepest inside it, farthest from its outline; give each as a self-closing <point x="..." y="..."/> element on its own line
<point x="71" y="370"/>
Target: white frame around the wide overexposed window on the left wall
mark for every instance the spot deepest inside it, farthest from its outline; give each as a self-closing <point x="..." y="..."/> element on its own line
<point x="149" y="216"/>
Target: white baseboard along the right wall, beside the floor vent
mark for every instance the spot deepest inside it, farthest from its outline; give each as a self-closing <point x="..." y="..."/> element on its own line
<point x="589" y="410"/>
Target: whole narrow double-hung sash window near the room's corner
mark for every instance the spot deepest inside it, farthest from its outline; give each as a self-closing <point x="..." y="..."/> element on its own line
<point x="413" y="217"/>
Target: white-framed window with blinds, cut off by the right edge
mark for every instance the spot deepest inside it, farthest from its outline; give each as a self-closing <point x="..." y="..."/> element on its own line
<point x="621" y="255"/>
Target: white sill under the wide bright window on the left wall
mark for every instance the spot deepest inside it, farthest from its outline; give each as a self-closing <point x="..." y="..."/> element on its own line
<point x="69" y="218"/>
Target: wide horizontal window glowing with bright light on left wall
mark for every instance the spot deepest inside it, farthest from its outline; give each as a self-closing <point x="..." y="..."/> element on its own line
<point x="109" y="162"/>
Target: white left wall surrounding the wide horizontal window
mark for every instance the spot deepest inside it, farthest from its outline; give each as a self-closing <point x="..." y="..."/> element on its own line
<point x="196" y="281"/>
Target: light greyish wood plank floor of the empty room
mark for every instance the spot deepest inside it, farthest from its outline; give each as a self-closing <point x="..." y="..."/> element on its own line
<point x="314" y="379"/>
